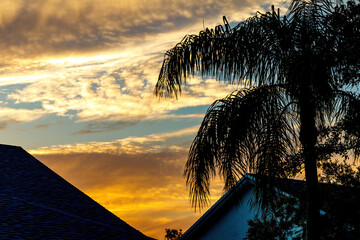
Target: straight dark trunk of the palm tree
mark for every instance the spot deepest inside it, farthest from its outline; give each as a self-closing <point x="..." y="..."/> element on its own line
<point x="308" y="138"/>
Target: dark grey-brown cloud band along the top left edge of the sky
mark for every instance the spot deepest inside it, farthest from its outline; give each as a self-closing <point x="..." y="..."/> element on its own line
<point x="38" y="27"/>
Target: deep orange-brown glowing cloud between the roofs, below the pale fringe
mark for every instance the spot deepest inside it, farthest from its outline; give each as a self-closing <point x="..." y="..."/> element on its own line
<point x="146" y="190"/>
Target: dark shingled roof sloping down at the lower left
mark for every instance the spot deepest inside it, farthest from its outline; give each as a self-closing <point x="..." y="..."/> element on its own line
<point x="36" y="203"/>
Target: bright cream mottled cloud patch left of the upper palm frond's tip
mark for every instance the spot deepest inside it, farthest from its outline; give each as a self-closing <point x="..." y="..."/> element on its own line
<point x="98" y="90"/>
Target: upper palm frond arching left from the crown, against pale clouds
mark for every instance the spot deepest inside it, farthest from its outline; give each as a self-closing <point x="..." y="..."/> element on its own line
<point x="251" y="50"/>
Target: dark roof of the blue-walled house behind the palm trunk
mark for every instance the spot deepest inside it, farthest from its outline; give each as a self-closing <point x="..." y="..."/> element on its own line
<point x="329" y="195"/>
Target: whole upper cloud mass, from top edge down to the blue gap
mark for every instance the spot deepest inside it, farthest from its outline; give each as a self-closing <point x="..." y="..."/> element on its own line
<point x="99" y="60"/>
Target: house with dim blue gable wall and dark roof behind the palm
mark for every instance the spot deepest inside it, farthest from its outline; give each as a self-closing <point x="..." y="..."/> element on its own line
<point x="228" y="218"/>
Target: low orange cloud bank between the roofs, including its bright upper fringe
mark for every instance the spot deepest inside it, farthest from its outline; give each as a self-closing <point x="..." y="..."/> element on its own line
<point x="140" y="181"/>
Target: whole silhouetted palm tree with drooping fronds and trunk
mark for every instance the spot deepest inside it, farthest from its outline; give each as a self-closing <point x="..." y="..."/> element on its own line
<point x="299" y="71"/>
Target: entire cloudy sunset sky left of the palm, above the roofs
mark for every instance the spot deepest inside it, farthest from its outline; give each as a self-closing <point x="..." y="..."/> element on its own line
<point x="76" y="91"/>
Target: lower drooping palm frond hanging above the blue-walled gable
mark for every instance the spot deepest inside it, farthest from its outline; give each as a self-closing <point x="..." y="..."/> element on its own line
<point x="249" y="131"/>
